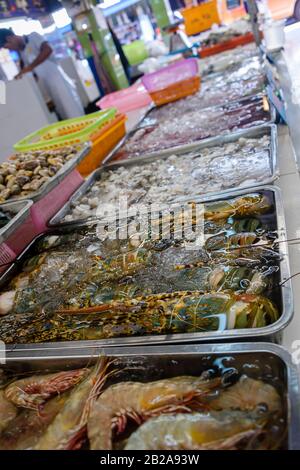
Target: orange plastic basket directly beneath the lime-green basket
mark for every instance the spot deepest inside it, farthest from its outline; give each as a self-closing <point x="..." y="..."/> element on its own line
<point x="111" y="135"/>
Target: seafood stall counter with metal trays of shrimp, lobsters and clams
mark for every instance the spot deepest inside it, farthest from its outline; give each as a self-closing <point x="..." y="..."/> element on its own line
<point x="153" y="303"/>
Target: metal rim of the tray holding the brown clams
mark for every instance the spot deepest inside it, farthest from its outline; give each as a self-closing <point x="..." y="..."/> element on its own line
<point x="58" y="178"/>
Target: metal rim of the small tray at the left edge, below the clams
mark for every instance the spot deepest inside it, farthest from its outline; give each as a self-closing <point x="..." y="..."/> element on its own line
<point x="21" y="209"/>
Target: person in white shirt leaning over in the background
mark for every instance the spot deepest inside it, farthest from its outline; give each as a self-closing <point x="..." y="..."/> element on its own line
<point x="36" y="55"/>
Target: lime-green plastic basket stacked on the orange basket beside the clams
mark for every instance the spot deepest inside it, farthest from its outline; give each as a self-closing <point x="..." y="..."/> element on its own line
<point x="69" y="132"/>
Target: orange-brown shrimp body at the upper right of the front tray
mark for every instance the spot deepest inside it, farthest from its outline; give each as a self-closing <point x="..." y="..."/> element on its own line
<point x="247" y="394"/>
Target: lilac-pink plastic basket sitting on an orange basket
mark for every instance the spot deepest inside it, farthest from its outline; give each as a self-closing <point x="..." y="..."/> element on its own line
<point x="177" y="72"/>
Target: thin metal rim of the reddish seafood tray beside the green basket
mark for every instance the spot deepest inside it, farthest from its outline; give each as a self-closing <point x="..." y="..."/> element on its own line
<point x="141" y="123"/>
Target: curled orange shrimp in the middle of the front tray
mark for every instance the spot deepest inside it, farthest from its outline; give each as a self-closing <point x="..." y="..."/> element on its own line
<point x="139" y="401"/>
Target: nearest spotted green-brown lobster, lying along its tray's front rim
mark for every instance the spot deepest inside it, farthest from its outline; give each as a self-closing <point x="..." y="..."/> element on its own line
<point x="177" y="312"/>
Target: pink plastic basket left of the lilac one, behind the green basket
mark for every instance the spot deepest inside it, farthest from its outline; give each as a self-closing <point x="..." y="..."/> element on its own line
<point x="126" y="100"/>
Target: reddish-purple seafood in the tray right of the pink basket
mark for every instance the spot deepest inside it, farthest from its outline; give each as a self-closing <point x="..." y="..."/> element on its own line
<point x="154" y="135"/>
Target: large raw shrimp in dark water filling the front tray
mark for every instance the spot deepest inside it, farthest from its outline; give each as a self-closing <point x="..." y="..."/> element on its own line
<point x="181" y="402"/>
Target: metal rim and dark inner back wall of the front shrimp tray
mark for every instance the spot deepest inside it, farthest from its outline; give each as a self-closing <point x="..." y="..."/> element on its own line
<point x="158" y="362"/>
